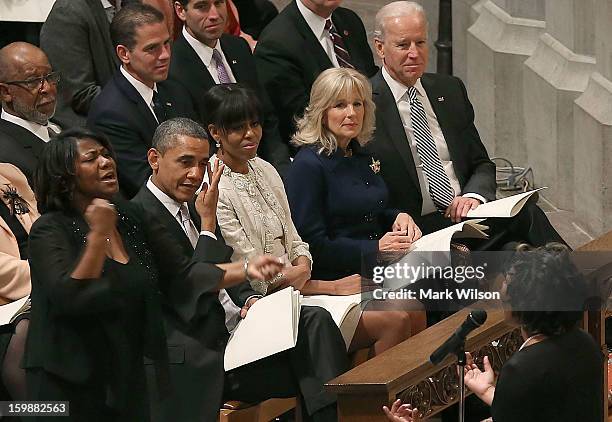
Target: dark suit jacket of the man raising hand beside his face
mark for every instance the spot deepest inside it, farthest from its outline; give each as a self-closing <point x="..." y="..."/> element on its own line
<point x="195" y="347"/>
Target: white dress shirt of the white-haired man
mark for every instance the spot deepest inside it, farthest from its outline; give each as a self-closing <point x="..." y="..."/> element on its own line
<point x="400" y="94"/>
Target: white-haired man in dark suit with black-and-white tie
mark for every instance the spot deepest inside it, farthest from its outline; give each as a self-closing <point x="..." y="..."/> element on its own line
<point x="432" y="158"/>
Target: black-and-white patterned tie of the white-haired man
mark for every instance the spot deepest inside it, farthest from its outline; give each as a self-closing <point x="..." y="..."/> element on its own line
<point x="440" y="189"/>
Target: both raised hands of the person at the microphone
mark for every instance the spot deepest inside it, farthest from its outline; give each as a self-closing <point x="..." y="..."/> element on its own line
<point x="481" y="383"/>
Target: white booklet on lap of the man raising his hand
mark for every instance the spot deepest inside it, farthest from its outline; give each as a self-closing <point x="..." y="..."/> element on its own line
<point x="270" y="327"/>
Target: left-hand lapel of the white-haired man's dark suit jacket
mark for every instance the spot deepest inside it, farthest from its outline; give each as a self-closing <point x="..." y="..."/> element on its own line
<point x="390" y="120"/>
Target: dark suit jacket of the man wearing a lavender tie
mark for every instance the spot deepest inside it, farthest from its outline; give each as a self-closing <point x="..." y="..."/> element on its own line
<point x="187" y="69"/>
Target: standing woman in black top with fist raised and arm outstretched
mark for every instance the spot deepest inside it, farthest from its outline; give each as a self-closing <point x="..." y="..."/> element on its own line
<point x="98" y="273"/>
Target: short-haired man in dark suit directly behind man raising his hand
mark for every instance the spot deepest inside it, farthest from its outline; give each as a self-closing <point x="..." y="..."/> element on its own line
<point x="137" y="98"/>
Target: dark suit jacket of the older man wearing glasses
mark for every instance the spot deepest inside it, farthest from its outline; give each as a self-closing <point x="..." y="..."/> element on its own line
<point x="20" y="147"/>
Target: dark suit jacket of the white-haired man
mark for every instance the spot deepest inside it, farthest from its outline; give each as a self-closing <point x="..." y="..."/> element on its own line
<point x="474" y="169"/>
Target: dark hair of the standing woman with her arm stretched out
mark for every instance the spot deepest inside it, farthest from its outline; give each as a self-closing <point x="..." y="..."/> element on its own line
<point x="55" y="175"/>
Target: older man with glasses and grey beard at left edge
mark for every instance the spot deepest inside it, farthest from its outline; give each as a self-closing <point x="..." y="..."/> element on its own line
<point x="28" y="89"/>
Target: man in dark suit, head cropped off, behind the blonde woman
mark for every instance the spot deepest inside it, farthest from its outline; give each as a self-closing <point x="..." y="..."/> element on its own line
<point x="297" y="46"/>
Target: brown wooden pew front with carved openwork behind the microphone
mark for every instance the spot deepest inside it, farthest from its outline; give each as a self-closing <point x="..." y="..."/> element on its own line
<point x="405" y="371"/>
